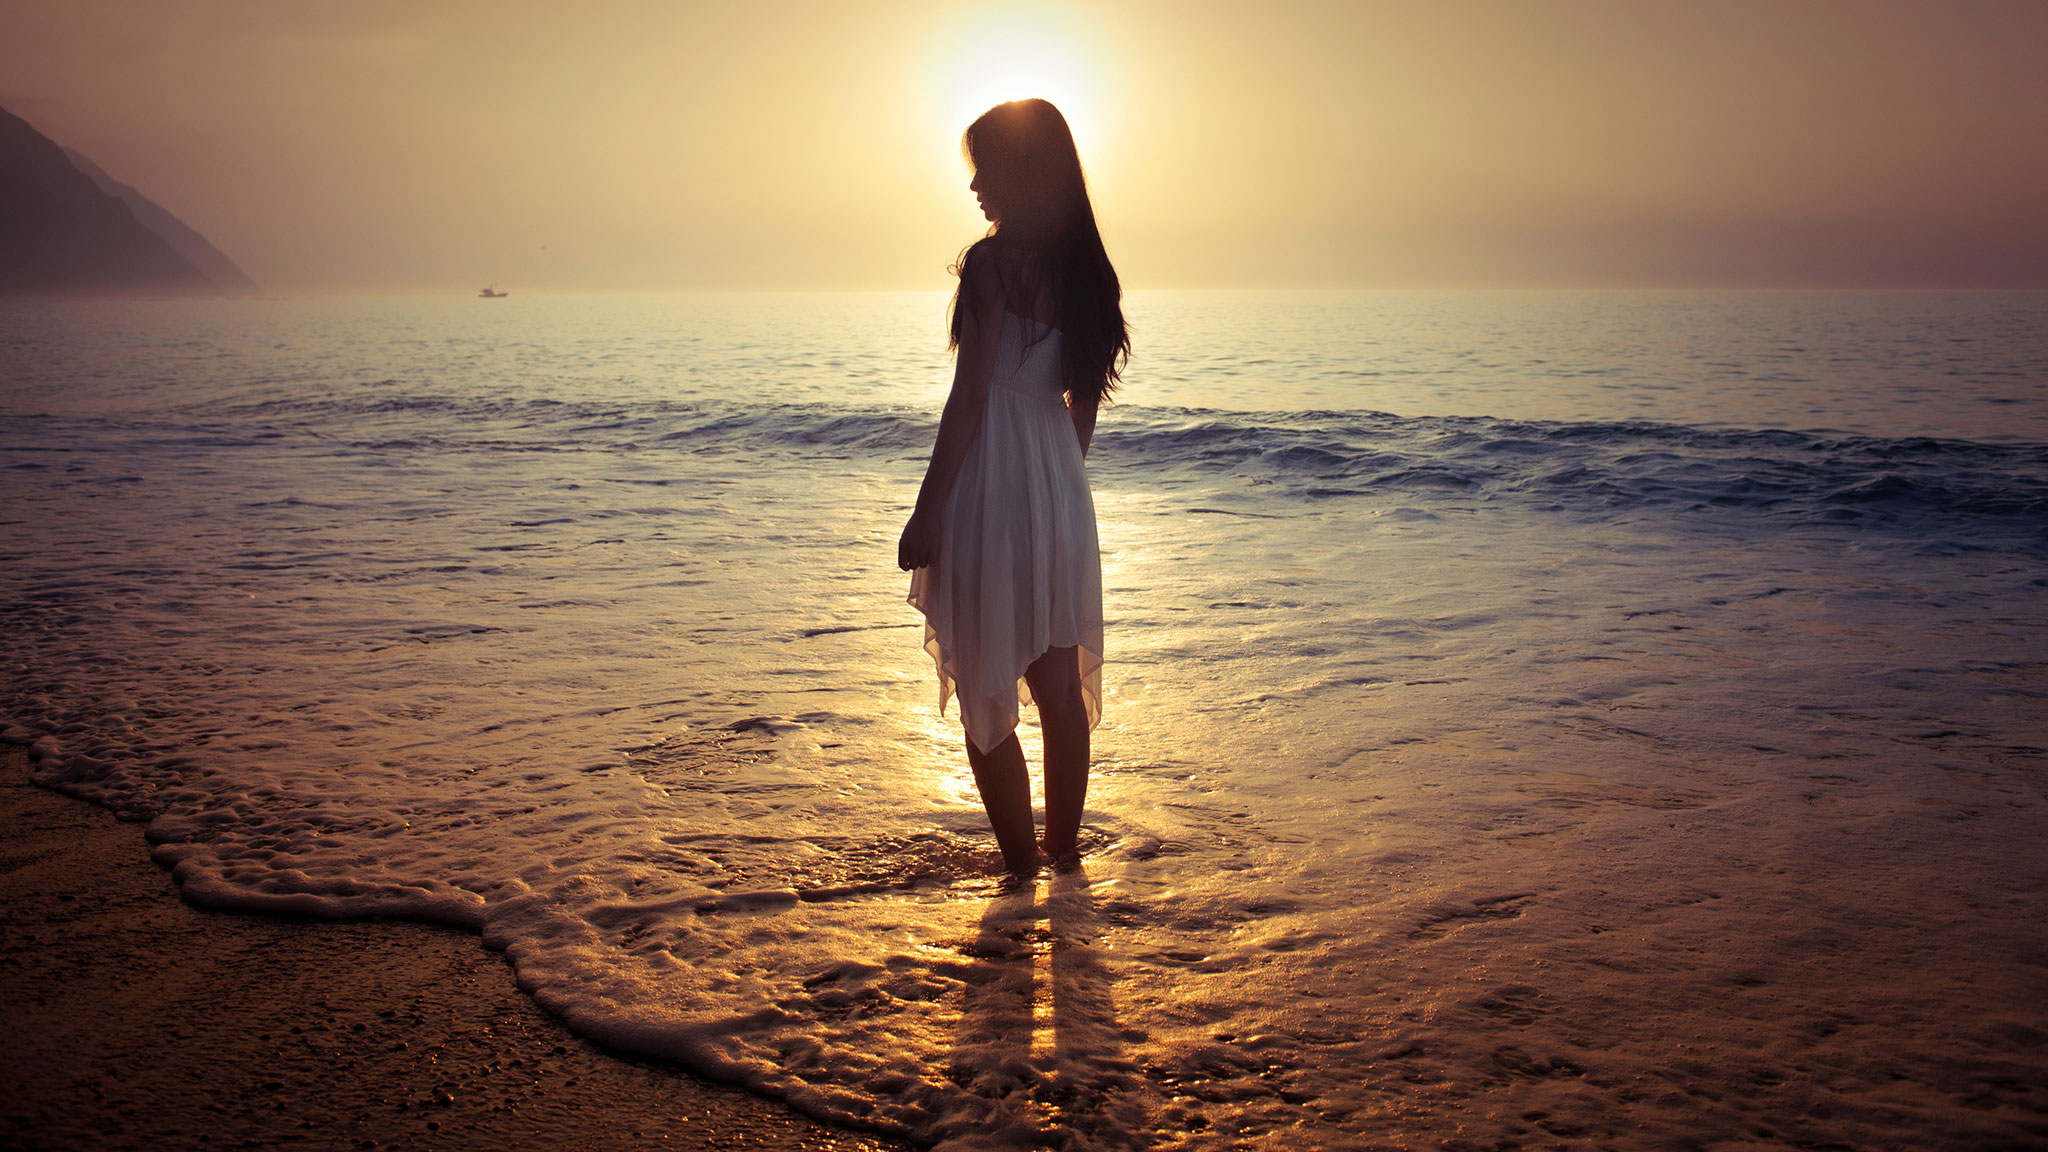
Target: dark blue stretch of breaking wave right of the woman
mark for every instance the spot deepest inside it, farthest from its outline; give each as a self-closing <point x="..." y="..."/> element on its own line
<point x="1605" y="466"/>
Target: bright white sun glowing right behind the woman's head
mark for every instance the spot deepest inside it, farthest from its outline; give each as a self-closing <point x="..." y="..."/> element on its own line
<point x="1011" y="54"/>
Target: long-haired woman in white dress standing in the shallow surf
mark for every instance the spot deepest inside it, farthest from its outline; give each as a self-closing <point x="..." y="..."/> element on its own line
<point x="1005" y="536"/>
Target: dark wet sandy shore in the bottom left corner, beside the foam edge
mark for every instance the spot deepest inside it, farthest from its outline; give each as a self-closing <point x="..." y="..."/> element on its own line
<point x="140" y="1022"/>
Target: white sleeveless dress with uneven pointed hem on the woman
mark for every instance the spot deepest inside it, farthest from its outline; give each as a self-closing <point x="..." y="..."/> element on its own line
<point x="1017" y="569"/>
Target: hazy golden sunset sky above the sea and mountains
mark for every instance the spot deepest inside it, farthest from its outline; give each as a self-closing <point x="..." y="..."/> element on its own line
<point x="790" y="145"/>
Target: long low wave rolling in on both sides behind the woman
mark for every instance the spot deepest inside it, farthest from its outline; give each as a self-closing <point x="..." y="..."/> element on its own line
<point x="1592" y="470"/>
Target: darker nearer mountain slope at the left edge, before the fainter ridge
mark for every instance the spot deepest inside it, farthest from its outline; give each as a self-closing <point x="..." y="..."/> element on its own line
<point x="60" y="233"/>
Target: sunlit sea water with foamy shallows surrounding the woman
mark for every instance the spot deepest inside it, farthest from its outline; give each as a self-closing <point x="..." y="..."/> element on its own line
<point x="1529" y="716"/>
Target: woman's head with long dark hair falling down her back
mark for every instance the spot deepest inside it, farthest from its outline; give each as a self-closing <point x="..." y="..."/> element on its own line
<point x="1048" y="239"/>
